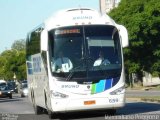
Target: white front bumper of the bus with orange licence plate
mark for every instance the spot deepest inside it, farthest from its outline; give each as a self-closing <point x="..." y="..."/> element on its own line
<point x="69" y="105"/>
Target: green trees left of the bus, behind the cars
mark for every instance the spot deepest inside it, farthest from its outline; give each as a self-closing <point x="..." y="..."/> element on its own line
<point x="13" y="62"/>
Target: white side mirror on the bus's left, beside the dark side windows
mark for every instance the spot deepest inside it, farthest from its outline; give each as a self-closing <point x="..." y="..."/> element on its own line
<point x="44" y="40"/>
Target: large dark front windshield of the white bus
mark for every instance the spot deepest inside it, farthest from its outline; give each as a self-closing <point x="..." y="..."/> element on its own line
<point x="90" y="51"/>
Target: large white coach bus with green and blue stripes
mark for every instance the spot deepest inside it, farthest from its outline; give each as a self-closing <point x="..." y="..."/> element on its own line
<point x="77" y="83"/>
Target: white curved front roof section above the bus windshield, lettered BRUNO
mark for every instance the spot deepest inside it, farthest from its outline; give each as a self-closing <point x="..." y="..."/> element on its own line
<point x="77" y="16"/>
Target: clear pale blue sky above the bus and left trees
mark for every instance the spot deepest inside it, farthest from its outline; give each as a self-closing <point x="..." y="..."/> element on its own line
<point x="17" y="17"/>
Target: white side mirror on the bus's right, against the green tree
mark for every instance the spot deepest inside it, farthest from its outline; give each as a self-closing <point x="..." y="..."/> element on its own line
<point x="124" y="35"/>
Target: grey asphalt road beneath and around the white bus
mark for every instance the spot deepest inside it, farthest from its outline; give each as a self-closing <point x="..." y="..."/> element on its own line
<point x="20" y="109"/>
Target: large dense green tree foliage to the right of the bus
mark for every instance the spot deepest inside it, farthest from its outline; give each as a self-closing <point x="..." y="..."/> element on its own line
<point x="142" y="19"/>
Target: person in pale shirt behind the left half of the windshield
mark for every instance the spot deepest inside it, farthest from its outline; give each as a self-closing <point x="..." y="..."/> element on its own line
<point x="62" y="64"/>
